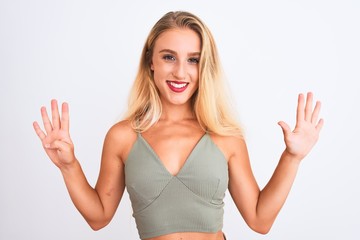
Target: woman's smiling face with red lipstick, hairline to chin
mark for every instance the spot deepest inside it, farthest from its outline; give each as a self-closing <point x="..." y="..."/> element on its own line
<point x="175" y="65"/>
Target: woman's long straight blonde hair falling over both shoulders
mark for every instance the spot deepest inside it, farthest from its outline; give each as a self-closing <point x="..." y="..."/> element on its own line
<point x="210" y="102"/>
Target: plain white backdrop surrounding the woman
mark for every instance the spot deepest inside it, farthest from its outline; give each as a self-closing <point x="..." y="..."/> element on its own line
<point x="87" y="53"/>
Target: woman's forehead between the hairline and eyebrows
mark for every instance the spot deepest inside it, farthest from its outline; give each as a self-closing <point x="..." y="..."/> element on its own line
<point x="178" y="40"/>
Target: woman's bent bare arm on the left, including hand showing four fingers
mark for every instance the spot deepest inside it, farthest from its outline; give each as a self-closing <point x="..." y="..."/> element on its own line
<point x="97" y="205"/>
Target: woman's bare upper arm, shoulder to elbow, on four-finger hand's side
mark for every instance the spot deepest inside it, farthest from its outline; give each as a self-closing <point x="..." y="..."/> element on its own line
<point x="111" y="181"/>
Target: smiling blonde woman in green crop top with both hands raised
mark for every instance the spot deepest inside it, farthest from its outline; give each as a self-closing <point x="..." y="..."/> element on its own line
<point x="179" y="147"/>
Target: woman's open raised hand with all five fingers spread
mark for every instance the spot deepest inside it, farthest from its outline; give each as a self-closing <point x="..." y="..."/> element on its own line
<point x="300" y="141"/>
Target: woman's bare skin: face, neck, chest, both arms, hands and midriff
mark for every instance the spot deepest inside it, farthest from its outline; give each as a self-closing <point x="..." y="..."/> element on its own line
<point x="172" y="138"/>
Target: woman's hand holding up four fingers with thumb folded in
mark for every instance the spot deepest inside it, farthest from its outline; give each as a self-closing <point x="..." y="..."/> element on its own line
<point x="56" y="138"/>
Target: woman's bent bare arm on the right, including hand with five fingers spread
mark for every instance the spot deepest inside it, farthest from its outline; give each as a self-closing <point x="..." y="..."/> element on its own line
<point x="260" y="208"/>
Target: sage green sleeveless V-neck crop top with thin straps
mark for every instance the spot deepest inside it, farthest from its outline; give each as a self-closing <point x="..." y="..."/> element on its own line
<point x="190" y="201"/>
